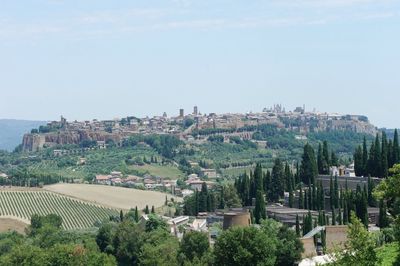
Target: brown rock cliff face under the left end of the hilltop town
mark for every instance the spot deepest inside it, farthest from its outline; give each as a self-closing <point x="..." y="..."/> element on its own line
<point x="35" y="142"/>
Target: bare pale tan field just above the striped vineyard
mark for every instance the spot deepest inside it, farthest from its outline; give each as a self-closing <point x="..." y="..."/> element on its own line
<point x="113" y="197"/>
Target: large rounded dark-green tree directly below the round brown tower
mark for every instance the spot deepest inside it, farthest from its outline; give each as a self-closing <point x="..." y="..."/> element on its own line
<point x="245" y="246"/>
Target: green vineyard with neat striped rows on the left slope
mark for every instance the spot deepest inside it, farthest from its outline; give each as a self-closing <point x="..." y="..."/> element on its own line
<point x="75" y="214"/>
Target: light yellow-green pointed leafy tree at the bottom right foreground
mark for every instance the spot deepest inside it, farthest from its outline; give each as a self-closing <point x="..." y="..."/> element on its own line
<point x="359" y="247"/>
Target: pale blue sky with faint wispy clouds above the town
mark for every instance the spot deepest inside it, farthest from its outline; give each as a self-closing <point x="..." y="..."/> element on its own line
<point x="87" y="59"/>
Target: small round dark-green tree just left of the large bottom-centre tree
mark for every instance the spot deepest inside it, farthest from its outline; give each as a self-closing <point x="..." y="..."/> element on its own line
<point x="194" y="245"/>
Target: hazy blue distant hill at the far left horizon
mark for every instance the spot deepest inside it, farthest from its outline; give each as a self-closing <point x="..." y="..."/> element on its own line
<point x="12" y="131"/>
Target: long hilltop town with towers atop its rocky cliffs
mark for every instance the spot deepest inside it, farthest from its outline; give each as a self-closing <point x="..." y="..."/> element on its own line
<point x="193" y="127"/>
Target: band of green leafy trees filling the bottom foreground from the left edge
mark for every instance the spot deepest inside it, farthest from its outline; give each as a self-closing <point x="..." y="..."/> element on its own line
<point x="131" y="243"/>
